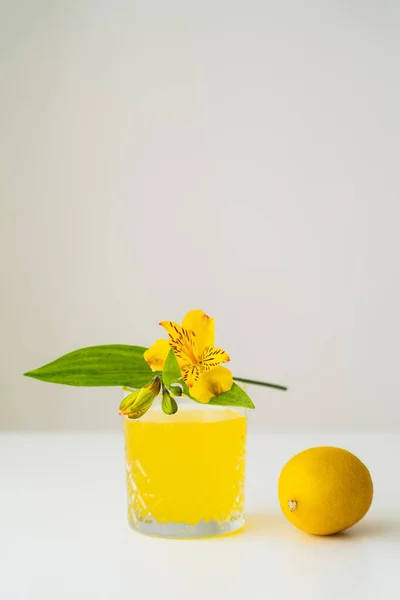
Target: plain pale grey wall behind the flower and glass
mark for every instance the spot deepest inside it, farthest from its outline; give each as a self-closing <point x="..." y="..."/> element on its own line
<point x="240" y="157"/>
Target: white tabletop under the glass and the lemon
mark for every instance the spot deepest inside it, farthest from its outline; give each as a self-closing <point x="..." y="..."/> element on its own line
<point x="64" y="532"/>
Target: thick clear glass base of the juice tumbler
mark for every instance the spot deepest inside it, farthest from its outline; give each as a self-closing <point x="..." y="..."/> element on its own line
<point x="181" y="530"/>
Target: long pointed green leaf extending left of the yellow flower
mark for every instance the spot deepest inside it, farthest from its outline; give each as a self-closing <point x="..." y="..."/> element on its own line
<point x="110" y="365"/>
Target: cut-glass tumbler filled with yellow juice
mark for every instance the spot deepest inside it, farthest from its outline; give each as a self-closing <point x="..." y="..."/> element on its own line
<point x="185" y="472"/>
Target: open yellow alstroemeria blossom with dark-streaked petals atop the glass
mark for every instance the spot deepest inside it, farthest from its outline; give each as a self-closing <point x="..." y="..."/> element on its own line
<point x="198" y="358"/>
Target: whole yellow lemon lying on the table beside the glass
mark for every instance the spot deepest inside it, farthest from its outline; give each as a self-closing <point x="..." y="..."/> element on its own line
<point x="325" y="490"/>
